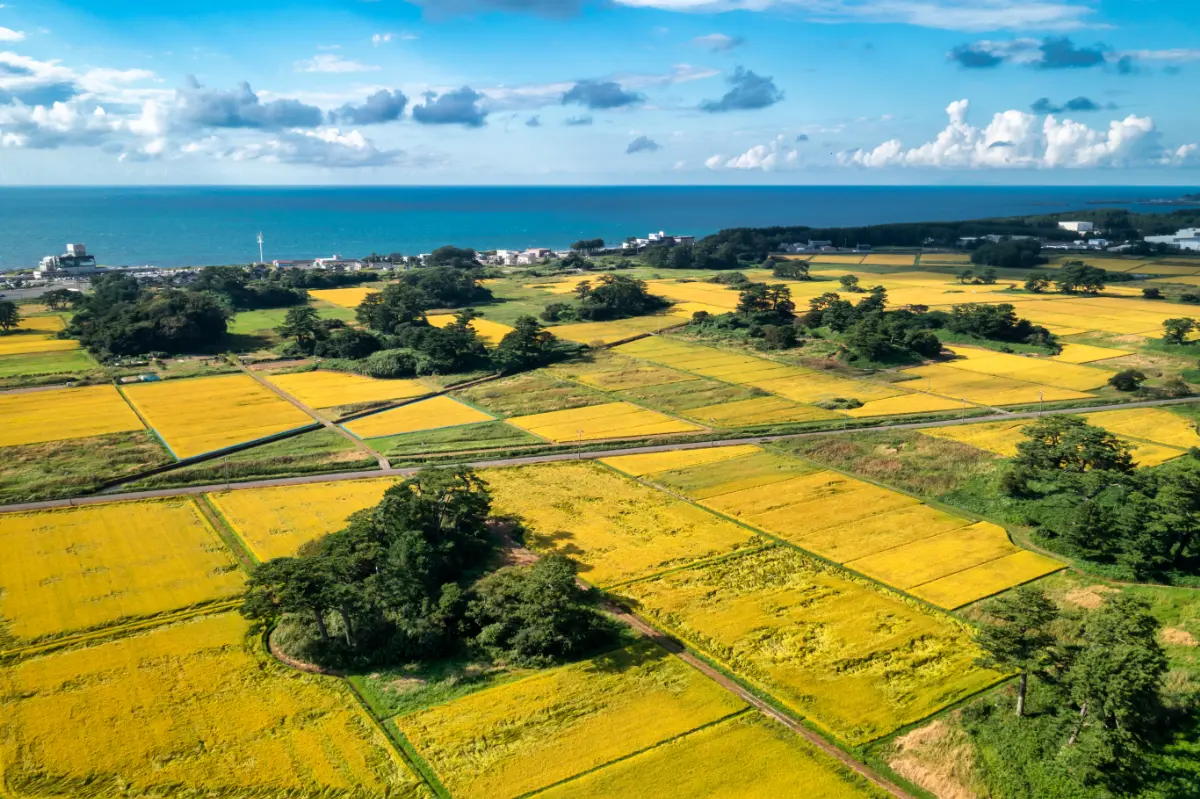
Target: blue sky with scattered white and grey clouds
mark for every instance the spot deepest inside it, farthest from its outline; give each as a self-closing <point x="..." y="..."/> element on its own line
<point x="607" y="92"/>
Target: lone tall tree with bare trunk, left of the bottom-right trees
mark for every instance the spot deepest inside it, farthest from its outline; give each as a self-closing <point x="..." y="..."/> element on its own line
<point x="1018" y="638"/>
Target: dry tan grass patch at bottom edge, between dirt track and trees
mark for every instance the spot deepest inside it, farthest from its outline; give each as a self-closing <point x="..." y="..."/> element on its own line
<point x="939" y="759"/>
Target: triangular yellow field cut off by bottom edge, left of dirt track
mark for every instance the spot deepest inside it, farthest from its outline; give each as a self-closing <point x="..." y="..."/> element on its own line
<point x="748" y="756"/>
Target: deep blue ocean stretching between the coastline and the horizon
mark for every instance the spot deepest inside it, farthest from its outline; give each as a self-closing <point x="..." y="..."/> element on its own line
<point x="197" y="226"/>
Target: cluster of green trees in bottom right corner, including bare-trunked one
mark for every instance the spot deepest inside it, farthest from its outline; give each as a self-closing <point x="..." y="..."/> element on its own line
<point x="1101" y="705"/>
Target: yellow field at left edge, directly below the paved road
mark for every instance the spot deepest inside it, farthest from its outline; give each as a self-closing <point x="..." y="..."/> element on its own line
<point x="83" y="568"/>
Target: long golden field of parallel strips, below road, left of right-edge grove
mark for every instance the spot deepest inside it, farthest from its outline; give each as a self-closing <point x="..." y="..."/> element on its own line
<point x="890" y="537"/>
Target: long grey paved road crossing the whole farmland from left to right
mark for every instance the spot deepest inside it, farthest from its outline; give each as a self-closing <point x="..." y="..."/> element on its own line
<point x="547" y="459"/>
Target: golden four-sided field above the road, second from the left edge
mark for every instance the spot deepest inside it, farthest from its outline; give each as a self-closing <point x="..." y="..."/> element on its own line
<point x="202" y="416"/>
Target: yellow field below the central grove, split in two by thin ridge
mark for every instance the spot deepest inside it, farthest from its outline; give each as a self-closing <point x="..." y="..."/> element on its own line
<point x="634" y="722"/>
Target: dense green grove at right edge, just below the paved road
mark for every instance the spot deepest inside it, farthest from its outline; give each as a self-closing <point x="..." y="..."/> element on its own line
<point x="1077" y="485"/>
